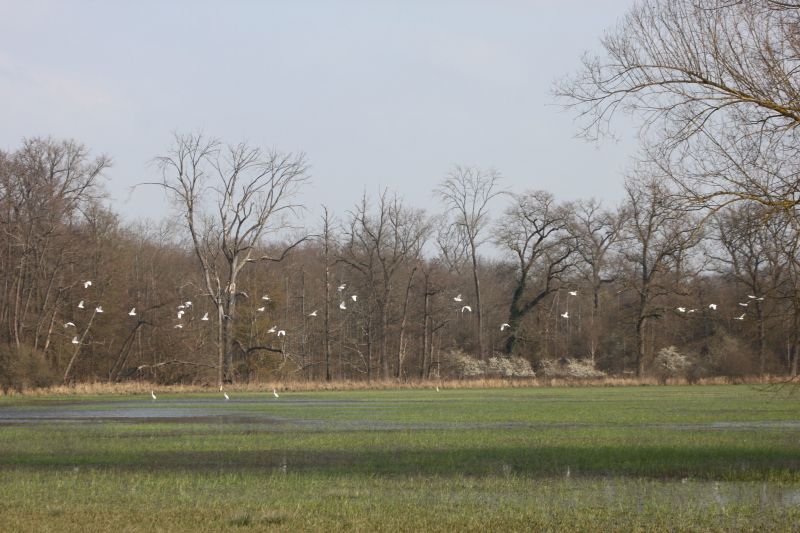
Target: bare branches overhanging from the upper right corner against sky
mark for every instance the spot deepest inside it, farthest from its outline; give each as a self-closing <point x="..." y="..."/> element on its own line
<point x="716" y="88"/>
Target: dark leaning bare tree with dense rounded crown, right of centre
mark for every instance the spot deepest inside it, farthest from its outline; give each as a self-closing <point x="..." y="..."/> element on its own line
<point x="535" y="230"/>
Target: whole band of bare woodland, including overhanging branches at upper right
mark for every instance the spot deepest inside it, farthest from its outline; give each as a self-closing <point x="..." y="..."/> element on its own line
<point x="702" y="254"/>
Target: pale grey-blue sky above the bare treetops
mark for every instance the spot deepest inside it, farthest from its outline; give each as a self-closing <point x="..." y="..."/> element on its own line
<point x="375" y="93"/>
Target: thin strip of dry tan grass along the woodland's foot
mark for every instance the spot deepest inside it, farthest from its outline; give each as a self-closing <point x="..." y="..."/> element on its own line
<point x="143" y="387"/>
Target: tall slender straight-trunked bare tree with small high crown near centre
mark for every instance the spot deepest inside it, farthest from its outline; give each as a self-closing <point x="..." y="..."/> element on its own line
<point x="467" y="192"/>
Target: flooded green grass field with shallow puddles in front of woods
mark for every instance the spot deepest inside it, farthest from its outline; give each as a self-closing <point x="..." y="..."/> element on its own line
<point x="589" y="458"/>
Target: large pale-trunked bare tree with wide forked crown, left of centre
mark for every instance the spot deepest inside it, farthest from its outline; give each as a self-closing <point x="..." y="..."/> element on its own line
<point x="231" y="198"/>
